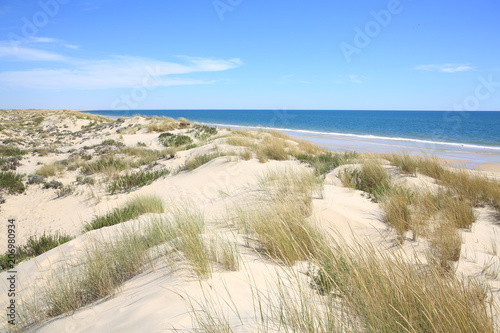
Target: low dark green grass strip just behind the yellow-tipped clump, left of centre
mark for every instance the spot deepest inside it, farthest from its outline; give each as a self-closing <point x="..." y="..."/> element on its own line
<point x="129" y="181"/>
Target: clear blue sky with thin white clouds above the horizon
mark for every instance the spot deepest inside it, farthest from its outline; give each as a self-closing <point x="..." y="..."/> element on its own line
<point x="250" y="54"/>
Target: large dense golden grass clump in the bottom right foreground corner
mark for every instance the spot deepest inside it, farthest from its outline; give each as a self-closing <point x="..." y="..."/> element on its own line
<point x="383" y="292"/>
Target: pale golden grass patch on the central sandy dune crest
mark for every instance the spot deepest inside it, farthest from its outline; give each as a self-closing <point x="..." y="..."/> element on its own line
<point x="280" y="225"/>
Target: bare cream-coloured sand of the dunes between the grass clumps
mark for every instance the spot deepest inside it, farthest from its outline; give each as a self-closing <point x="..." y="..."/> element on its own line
<point x="167" y="296"/>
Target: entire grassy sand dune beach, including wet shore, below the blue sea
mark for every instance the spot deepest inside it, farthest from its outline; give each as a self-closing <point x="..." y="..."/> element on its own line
<point x="189" y="186"/>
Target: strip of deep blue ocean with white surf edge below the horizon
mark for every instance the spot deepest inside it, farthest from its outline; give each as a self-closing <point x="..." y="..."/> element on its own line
<point x="475" y="129"/>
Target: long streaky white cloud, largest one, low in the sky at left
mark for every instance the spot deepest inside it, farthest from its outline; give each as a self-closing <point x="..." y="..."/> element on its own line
<point x="117" y="72"/>
